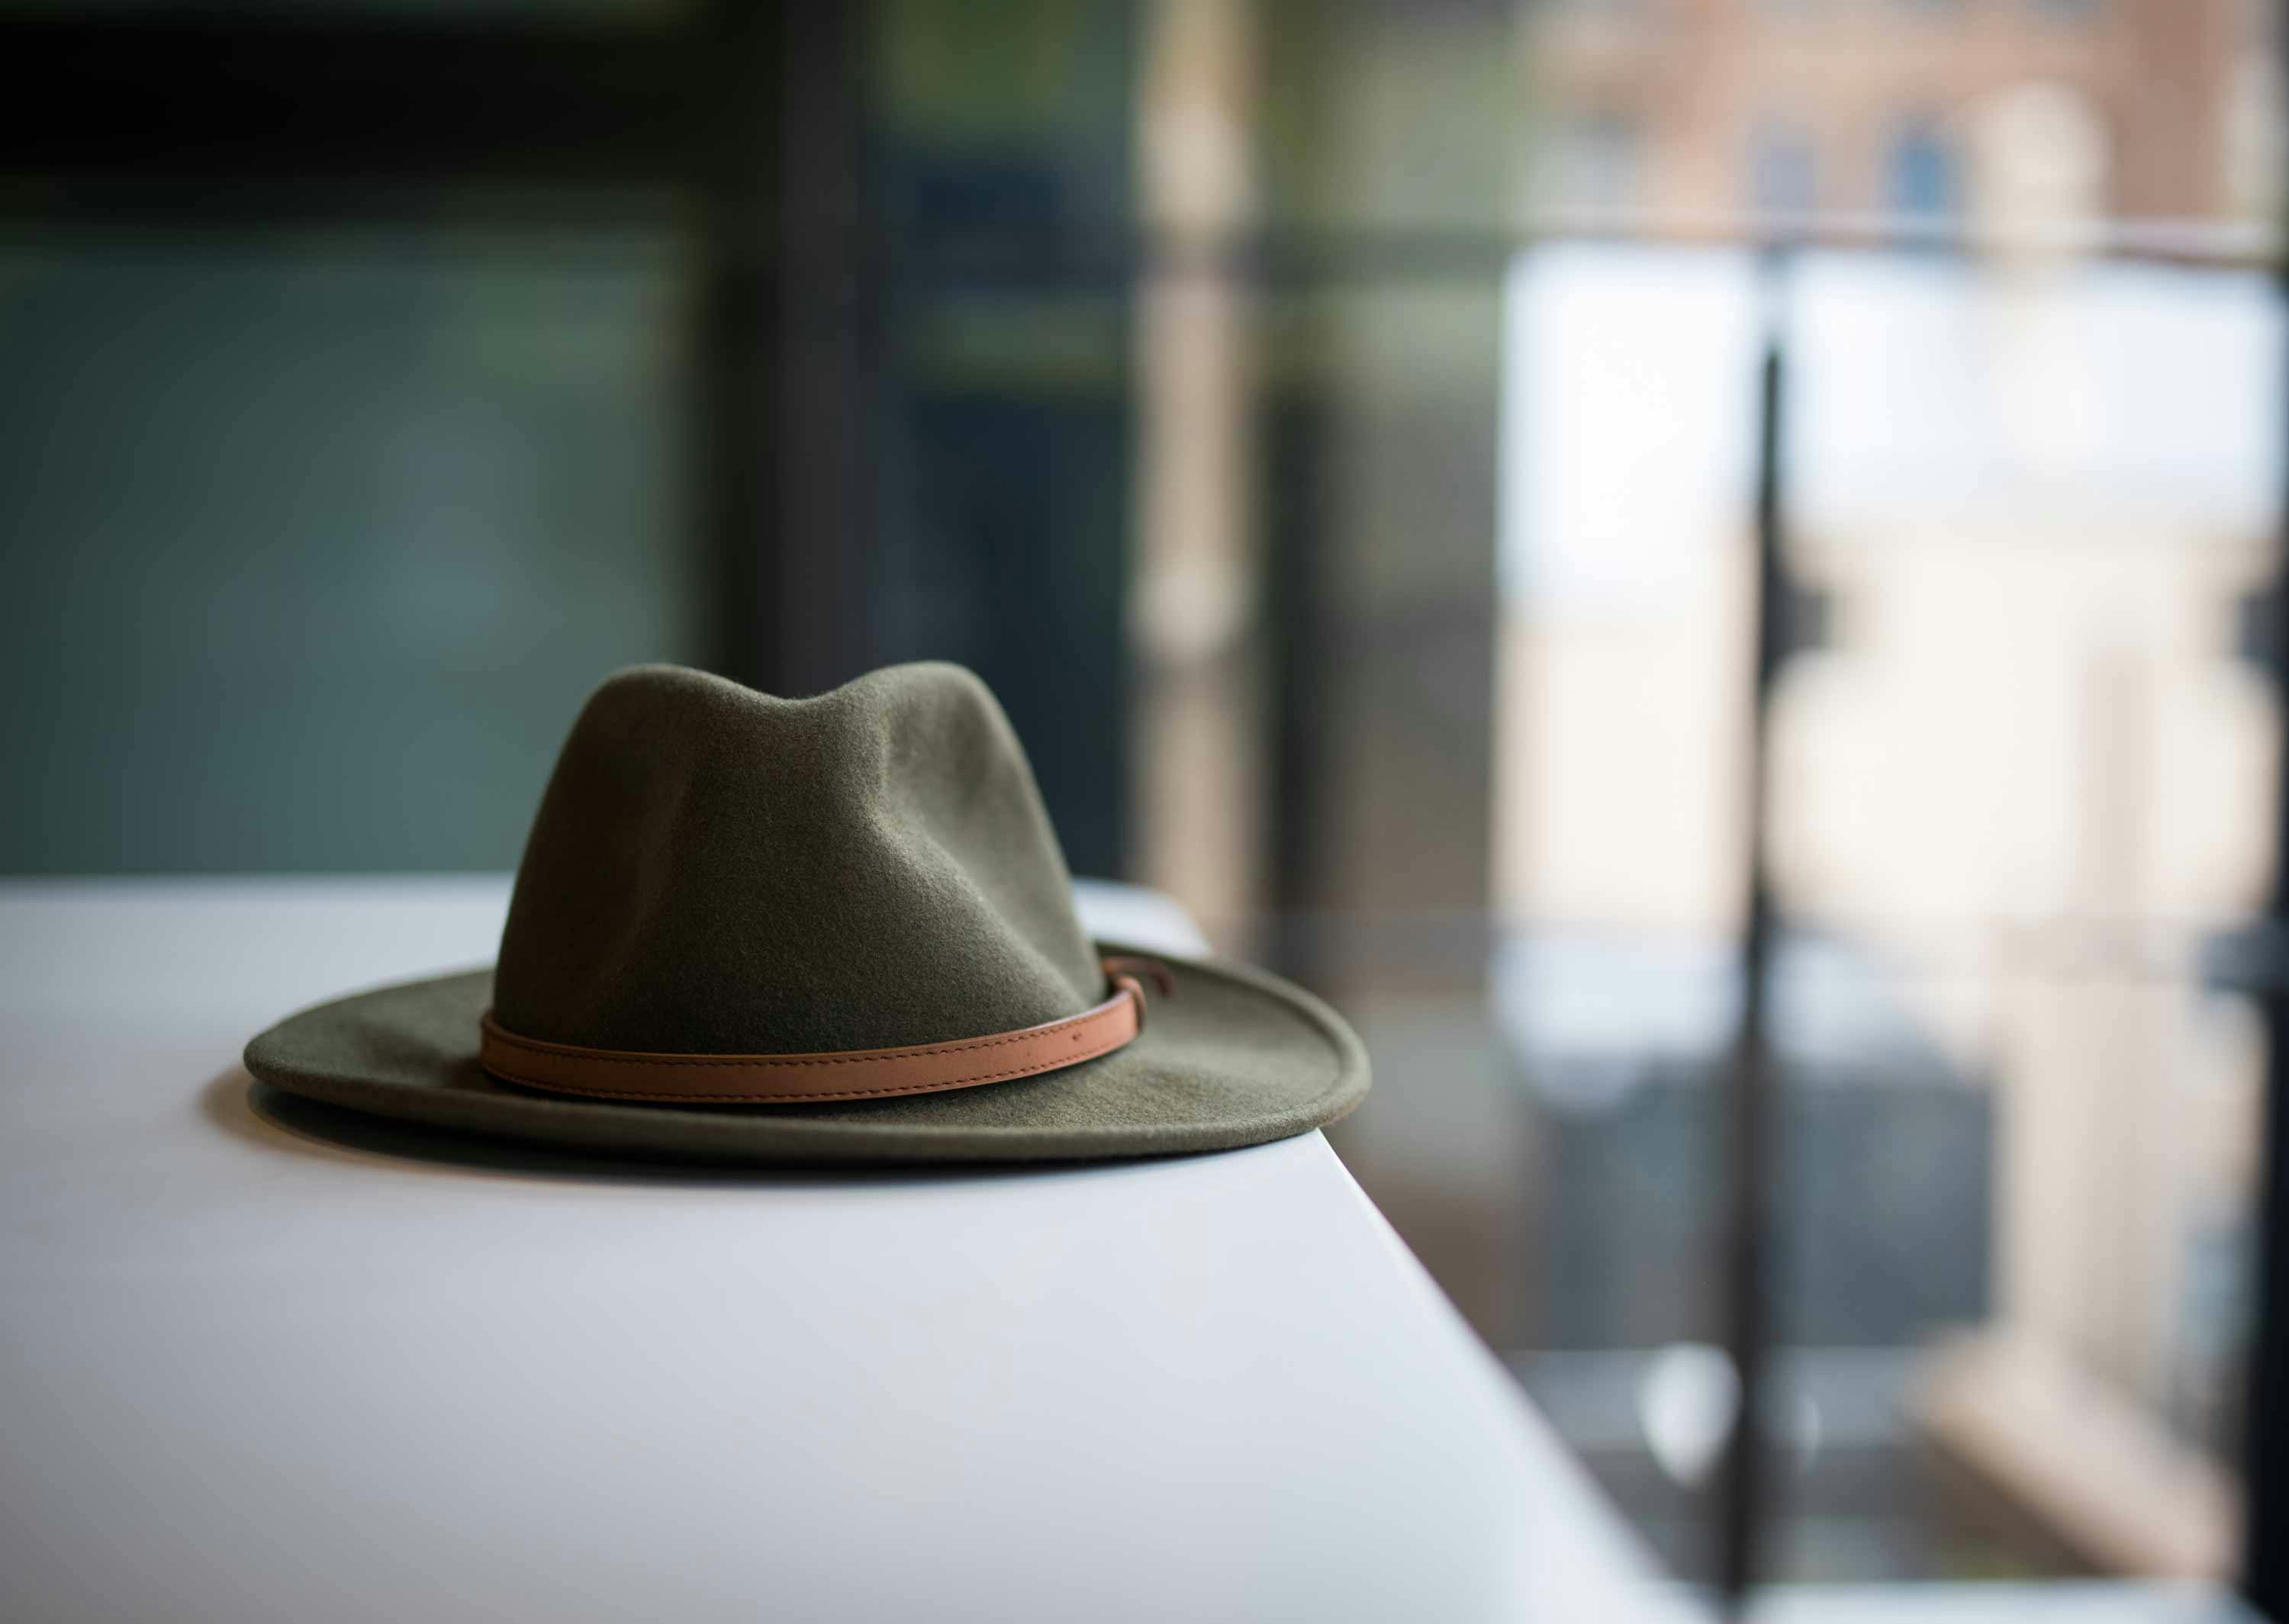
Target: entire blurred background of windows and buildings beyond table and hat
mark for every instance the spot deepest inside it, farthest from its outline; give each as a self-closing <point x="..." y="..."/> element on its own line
<point x="1507" y="509"/>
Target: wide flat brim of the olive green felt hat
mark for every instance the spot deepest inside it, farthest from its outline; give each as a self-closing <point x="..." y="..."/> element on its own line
<point x="1228" y="1058"/>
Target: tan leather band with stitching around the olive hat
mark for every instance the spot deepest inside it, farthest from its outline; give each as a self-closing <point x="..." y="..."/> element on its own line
<point x="805" y="1078"/>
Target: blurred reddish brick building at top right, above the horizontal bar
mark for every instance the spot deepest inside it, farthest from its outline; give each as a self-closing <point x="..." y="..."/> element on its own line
<point x="1709" y="109"/>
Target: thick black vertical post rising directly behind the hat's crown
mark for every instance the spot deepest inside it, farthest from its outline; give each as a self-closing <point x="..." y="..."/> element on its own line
<point x="784" y="342"/>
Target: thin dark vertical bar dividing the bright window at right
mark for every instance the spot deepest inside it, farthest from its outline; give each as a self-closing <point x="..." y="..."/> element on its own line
<point x="1750" y="1081"/>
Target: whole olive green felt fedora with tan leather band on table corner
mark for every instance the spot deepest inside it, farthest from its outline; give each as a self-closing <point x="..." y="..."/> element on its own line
<point x="832" y="930"/>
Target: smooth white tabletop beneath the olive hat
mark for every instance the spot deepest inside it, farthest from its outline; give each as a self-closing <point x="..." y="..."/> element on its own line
<point x="267" y="1369"/>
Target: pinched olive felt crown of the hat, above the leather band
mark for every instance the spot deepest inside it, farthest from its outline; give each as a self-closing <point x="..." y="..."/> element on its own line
<point x="722" y="873"/>
